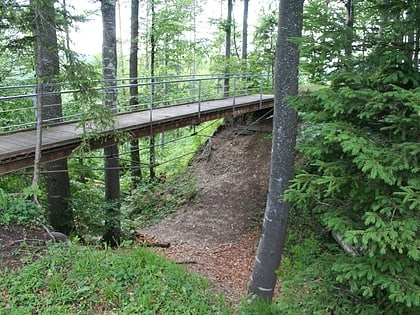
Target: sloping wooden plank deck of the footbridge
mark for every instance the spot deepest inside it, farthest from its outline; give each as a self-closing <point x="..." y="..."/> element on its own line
<point x="17" y="149"/>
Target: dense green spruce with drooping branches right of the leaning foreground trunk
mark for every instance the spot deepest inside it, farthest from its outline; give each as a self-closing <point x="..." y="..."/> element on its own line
<point x="360" y="170"/>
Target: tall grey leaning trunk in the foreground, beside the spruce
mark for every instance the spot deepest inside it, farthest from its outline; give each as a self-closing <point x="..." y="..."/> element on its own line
<point x="267" y="261"/>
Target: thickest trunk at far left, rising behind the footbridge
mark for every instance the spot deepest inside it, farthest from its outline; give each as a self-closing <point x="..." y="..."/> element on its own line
<point x="47" y="70"/>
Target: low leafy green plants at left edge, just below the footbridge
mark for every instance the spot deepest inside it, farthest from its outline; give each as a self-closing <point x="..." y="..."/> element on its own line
<point x="17" y="210"/>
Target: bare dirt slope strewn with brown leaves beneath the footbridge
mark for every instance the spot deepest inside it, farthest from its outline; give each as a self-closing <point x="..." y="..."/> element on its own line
<point x="217" y="236"/>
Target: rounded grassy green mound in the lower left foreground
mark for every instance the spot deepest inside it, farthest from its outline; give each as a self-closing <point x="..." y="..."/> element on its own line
<point x="82" y="280"/>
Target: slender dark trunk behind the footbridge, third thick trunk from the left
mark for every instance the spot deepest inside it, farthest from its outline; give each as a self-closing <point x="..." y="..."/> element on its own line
<point x="134" y="90"/>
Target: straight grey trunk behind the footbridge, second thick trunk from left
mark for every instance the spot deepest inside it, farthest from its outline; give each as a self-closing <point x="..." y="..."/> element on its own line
<point x="111" y="160"/>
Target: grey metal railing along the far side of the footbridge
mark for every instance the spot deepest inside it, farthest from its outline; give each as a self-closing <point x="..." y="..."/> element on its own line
<point x="18" y="103"/>
